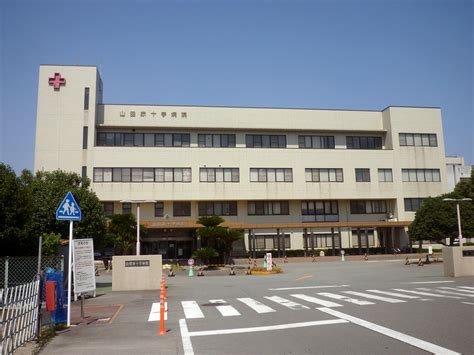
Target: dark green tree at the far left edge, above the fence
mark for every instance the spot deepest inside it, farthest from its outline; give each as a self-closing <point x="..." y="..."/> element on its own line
<point x="15" y="204"/>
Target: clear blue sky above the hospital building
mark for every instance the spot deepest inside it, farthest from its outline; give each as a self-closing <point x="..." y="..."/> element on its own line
<point x="314" y="54"/>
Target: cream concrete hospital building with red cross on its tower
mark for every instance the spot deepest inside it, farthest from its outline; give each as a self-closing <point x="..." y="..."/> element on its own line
<point x="292" y="179"/>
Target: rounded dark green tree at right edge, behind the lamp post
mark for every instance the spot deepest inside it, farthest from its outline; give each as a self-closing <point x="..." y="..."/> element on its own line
<point x="437" y="219"/>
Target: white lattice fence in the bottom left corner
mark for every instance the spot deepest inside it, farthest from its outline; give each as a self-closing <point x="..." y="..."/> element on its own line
<point x="19" y="315"/>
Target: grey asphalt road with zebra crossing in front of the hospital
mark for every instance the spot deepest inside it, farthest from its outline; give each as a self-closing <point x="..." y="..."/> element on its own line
<point x="381" y="307"/>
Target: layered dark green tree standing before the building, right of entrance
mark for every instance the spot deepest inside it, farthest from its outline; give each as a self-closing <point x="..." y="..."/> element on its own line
<point x="217" y="236"/>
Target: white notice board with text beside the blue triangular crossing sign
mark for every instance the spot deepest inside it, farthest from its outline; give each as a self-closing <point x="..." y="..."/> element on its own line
<point x="84" y="272"/>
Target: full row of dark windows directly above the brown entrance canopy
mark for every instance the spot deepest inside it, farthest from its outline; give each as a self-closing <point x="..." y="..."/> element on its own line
<point x="312" y="211"/>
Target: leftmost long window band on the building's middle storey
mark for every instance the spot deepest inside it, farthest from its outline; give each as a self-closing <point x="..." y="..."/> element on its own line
<point x="142" y="174"/>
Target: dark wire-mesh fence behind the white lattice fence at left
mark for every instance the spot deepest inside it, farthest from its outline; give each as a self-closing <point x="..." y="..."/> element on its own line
<point x="18" y="270"/>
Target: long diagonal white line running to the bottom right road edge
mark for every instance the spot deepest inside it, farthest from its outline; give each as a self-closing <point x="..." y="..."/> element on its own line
<point x="421" y="344"/>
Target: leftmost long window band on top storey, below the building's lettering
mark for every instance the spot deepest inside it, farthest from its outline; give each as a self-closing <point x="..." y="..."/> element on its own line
<point x="110" y="139"/>
